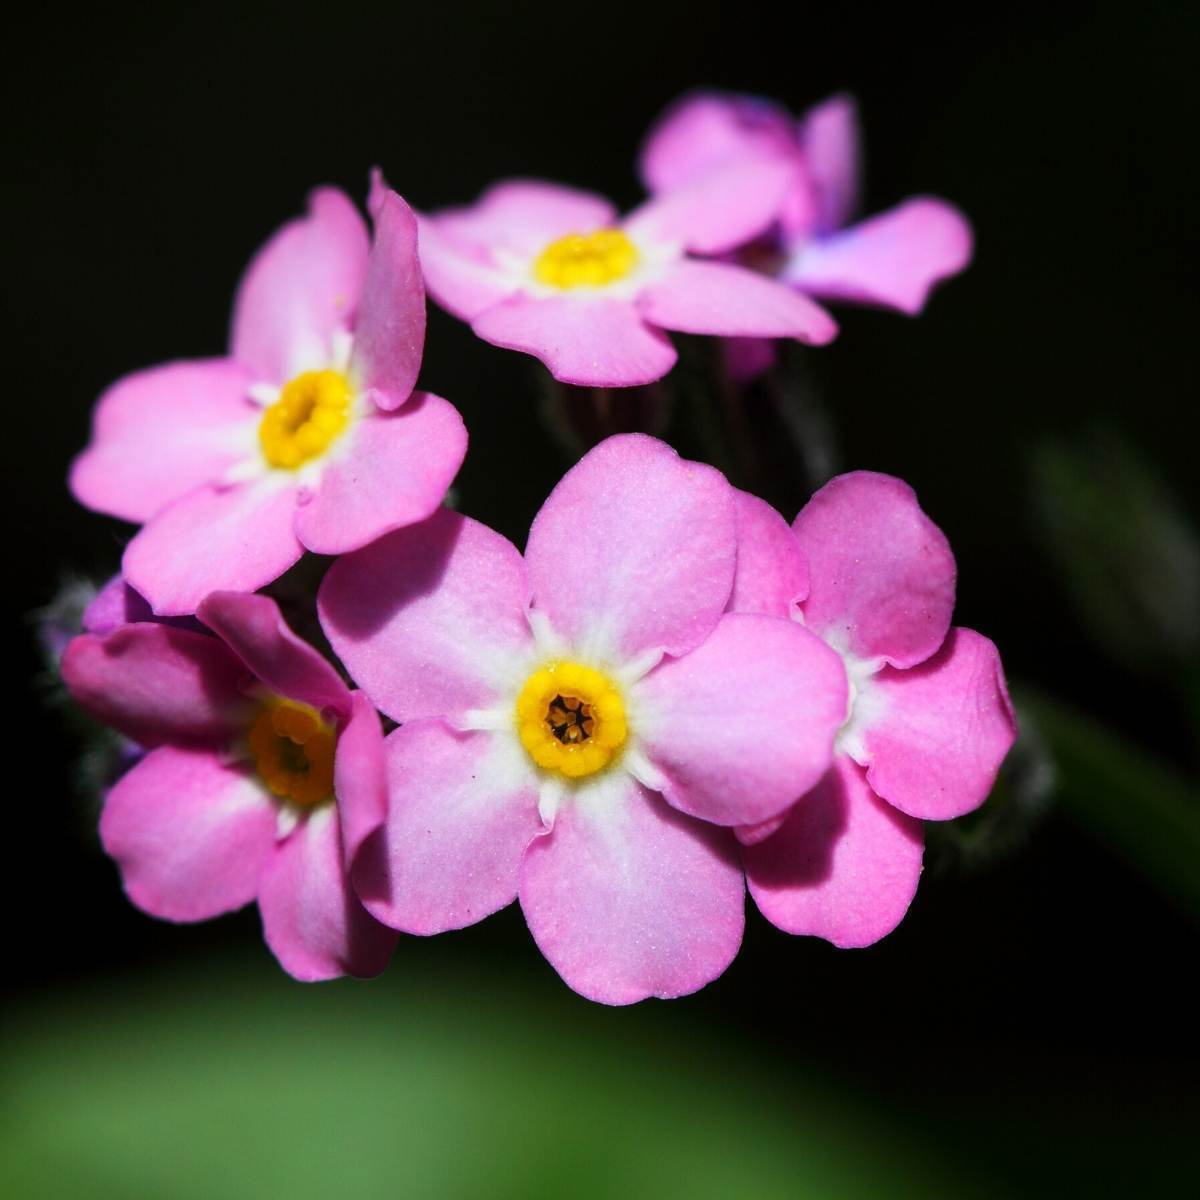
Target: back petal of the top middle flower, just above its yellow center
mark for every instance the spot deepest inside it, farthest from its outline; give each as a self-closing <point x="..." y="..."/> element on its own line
<point x="524" y="217"/>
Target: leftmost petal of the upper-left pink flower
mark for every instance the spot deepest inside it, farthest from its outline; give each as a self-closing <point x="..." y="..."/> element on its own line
<point x="159" y="434"/>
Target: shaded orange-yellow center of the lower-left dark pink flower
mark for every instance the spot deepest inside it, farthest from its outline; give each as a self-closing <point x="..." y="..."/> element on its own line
<point x="293" y="752"/>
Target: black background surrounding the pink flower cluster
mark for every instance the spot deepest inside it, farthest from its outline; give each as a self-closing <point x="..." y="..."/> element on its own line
<point x="1034" y="1021"/>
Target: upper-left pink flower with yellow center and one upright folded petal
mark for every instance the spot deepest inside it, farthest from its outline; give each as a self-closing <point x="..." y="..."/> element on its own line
<point x="308" y="436"/>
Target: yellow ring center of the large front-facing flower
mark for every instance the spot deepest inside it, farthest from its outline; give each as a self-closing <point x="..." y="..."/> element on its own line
<point x="572" y="719"/>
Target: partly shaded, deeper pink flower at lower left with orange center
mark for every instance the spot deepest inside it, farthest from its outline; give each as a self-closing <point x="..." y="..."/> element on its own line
<point x="263" y="779"/>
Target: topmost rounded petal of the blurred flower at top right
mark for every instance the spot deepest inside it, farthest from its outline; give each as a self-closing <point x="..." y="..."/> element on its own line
<point x="710" y="130"/>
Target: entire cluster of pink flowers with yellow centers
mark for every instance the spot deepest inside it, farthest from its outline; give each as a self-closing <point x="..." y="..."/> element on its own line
<point x="669" y="695"/>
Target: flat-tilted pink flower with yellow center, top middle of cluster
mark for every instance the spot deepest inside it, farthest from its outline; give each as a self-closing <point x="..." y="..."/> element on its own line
<point x="555" y="273"/>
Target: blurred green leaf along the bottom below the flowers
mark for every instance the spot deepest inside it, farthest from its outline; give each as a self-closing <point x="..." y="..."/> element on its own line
<point x="209" y="1088"/>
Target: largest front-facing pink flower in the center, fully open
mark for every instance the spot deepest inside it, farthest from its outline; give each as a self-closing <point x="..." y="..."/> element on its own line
<point x="583" y="724"/>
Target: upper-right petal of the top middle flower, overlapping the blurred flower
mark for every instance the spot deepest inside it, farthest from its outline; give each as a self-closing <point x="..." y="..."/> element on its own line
<point x="721" y="211"/>
